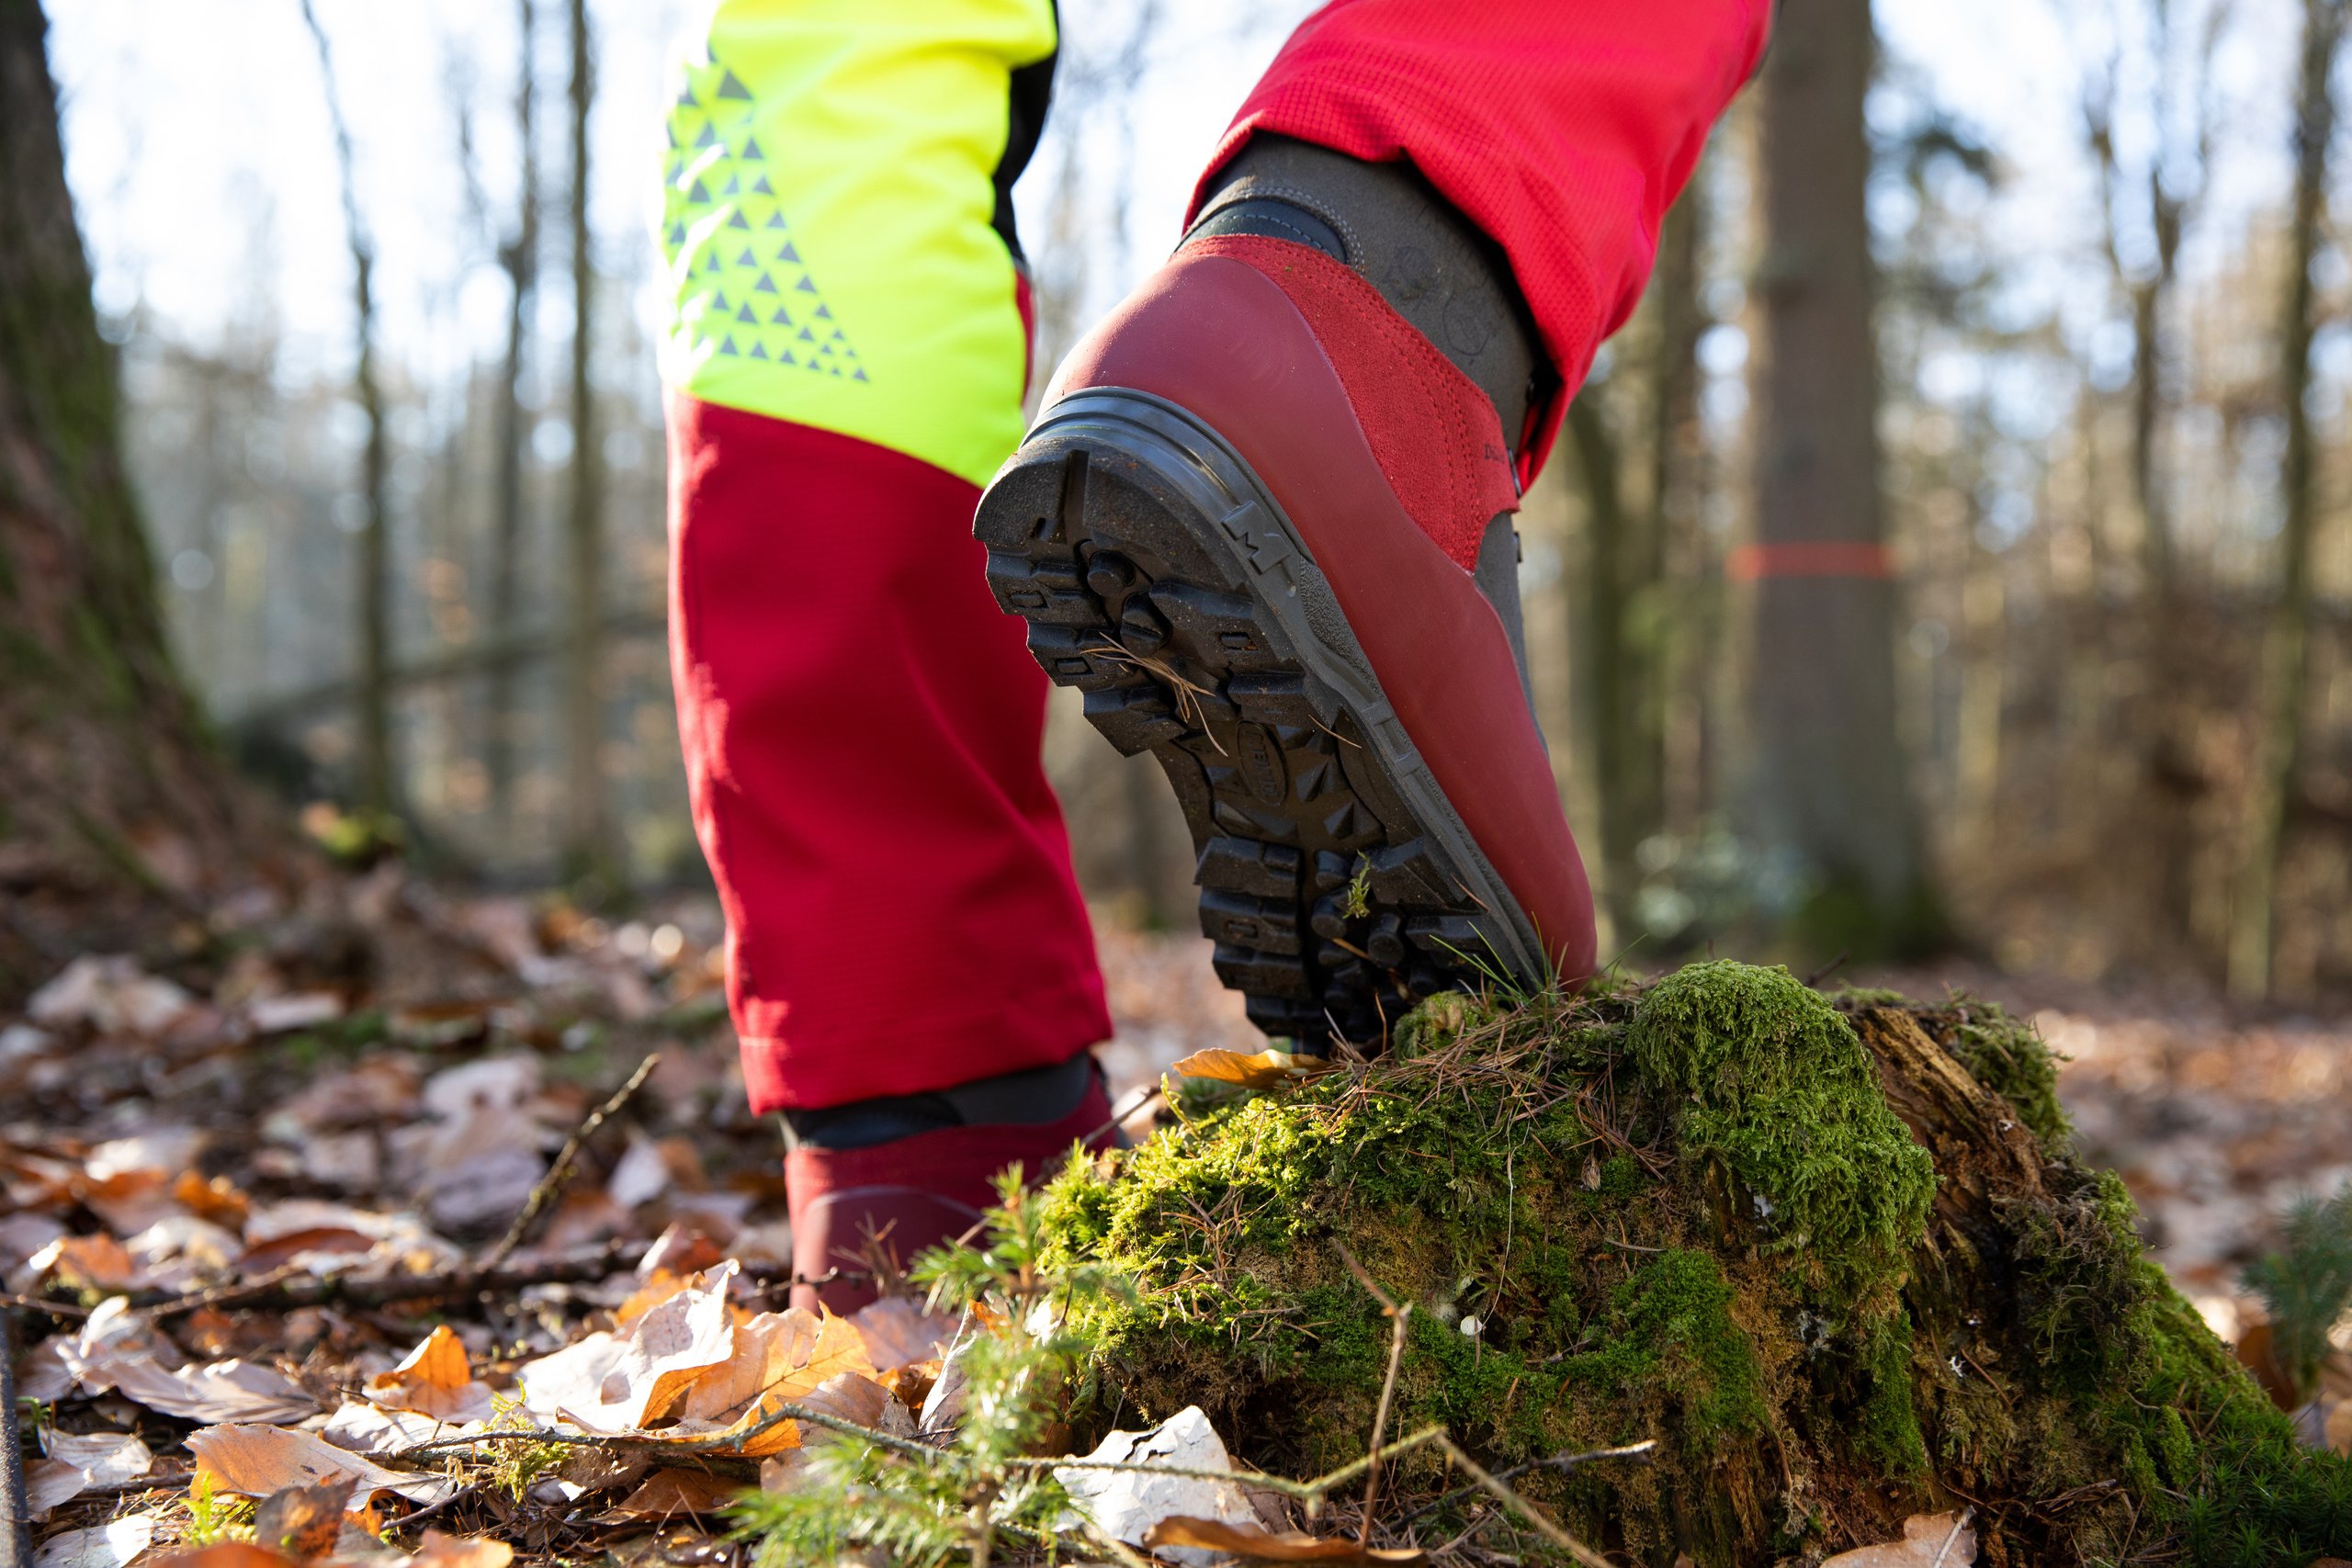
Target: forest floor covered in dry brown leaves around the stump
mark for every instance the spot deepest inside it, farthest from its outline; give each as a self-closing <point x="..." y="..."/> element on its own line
<point x="380" y="1085"/>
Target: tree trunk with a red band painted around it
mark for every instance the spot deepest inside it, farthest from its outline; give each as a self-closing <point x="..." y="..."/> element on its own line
<point x="1831" y="800"/>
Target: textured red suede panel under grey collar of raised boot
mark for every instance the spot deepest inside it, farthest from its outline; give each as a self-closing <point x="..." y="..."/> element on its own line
<point x="1429" y="424"/>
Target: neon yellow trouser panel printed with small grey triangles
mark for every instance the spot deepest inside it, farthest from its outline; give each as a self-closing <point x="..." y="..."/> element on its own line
<point x="827" y="220"/>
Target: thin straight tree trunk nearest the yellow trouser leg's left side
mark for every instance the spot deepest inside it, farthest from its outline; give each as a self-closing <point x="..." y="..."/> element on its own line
<point x="587" y="833"/>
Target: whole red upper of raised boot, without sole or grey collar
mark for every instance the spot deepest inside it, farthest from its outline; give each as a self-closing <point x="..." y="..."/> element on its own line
<point x="1391" y="464"/>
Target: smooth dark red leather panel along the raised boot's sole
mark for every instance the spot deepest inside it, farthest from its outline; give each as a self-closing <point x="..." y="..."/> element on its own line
<point x="1222" y="340"/>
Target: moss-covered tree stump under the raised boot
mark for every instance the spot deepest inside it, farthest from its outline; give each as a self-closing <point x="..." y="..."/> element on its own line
<point x="1831" y="1252"/>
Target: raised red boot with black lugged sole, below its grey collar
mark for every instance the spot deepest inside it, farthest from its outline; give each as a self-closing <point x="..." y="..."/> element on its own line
<point x="1245" y="525"/>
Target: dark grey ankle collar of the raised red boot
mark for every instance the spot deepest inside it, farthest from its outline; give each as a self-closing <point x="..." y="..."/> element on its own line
<point x="1410" y="243"/>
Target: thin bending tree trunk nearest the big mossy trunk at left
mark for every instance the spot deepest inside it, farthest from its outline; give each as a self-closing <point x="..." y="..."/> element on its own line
<point x="373" y="584"/>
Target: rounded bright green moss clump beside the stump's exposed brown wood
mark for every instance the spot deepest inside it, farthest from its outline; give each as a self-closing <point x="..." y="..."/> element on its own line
<point x="1779" y="1090"/>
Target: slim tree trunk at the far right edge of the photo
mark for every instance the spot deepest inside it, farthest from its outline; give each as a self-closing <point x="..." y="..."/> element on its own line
<point x="2287" y="666"/>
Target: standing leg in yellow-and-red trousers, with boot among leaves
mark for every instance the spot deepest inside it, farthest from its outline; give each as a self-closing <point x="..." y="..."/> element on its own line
<point x="911" y="967"/>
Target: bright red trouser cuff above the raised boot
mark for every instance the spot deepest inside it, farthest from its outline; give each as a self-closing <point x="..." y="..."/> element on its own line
<point x="1563" y="130"/>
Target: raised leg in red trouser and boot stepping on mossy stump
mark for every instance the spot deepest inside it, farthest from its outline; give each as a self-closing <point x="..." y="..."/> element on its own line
<point x="1264" y="514"/>
